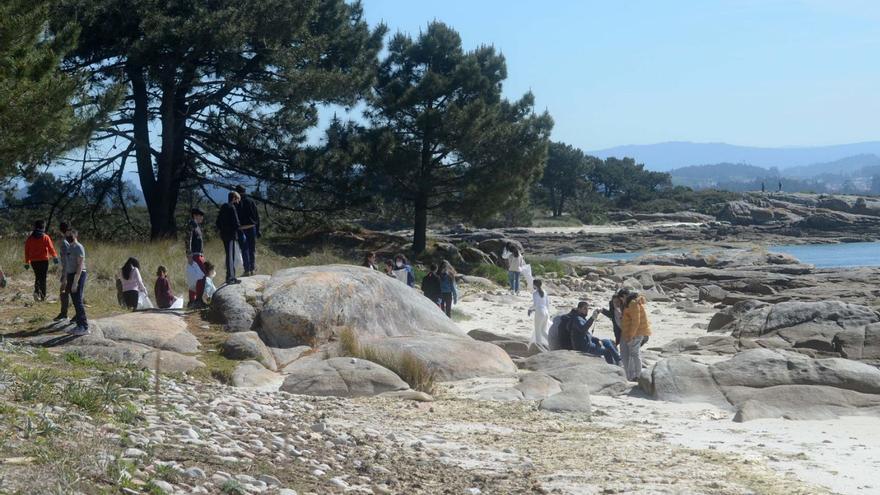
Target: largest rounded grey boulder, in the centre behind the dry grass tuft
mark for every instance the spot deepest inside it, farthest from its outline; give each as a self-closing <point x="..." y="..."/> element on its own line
<point x="311" y="305"/>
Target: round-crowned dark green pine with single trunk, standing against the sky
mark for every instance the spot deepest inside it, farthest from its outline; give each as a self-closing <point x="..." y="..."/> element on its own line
<point x="443" y="138"/>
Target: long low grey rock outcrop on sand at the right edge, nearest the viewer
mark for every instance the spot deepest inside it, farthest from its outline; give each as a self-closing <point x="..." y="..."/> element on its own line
<point x="763" y="383"/>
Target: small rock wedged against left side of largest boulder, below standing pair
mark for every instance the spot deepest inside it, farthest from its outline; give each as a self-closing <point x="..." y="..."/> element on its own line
<point x="237" y="306"/>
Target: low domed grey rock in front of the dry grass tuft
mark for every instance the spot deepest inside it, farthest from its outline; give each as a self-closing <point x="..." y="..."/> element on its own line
<point x="341" y="377"/>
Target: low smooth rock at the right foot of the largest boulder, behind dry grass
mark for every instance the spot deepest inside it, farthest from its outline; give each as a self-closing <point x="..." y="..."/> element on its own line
<point x="449" y="357"/>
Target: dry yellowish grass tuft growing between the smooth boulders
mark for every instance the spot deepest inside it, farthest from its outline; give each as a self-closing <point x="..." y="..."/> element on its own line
<point x="406" y="365"/>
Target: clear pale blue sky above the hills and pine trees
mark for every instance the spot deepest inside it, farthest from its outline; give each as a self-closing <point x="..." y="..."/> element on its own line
<point x="617" y="72"/>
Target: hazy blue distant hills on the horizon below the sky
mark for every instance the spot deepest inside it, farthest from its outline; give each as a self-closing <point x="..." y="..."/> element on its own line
<point x="667" y="156"/>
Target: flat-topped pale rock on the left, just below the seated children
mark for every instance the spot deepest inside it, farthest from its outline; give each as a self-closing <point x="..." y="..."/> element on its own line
<point x="164" y="331"/>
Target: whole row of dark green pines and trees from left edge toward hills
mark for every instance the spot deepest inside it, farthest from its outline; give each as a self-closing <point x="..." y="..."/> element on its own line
<point x="206" y="92"/>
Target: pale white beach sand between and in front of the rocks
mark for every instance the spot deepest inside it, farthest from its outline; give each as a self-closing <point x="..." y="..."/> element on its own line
<point x="842" y="454"/>
